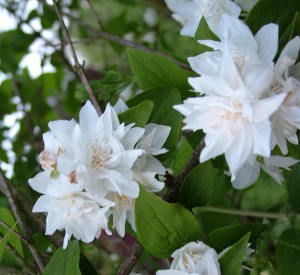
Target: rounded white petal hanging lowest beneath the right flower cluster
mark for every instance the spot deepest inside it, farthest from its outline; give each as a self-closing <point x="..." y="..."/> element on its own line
<point x="246" y="176"/>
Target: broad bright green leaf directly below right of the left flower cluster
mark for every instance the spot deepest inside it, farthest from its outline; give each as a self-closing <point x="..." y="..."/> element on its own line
<point x="161" y="226"/>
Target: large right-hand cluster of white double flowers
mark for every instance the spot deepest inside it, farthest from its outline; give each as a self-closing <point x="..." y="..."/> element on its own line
<point x="247" y="104"/>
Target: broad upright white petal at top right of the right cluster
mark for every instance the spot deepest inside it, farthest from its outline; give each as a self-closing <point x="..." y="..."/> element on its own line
<point x="267" y="41"/>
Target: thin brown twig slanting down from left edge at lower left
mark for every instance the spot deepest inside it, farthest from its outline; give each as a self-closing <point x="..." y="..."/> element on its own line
<point x="5" y="189"/>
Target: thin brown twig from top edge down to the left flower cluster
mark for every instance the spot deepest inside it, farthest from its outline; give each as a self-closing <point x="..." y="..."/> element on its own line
<point x="78" y="68"/>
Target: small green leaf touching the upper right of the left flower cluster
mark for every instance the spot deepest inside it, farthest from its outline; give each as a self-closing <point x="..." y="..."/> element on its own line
<point x="138" y="114"/>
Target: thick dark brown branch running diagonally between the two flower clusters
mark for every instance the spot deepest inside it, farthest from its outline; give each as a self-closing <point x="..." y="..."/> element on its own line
<point x="170" y="196"/>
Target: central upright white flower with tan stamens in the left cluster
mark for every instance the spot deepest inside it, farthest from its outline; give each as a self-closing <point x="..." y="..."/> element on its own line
<point x="104" y="153"/>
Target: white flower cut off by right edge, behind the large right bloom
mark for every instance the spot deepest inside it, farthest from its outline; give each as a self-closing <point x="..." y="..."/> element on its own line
<point x="286" y="120"/>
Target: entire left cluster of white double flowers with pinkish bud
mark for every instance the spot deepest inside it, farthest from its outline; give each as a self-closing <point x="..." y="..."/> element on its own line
<point x="92" y="170"/>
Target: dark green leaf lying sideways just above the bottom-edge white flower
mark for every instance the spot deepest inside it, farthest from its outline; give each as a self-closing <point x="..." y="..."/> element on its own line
<point x="224" y="237"/>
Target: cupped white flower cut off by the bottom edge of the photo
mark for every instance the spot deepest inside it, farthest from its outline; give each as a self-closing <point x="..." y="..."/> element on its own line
<point x="194" y="258"/>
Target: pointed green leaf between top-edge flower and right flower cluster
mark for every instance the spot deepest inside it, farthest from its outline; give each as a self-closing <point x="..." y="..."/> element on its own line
<point x="203" y="32"/>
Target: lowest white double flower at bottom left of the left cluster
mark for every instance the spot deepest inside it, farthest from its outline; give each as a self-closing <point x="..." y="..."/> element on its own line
<point x="69" y="207"/>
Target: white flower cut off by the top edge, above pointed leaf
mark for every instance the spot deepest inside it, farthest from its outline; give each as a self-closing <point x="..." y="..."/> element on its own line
<point x="192" y="12"/>
